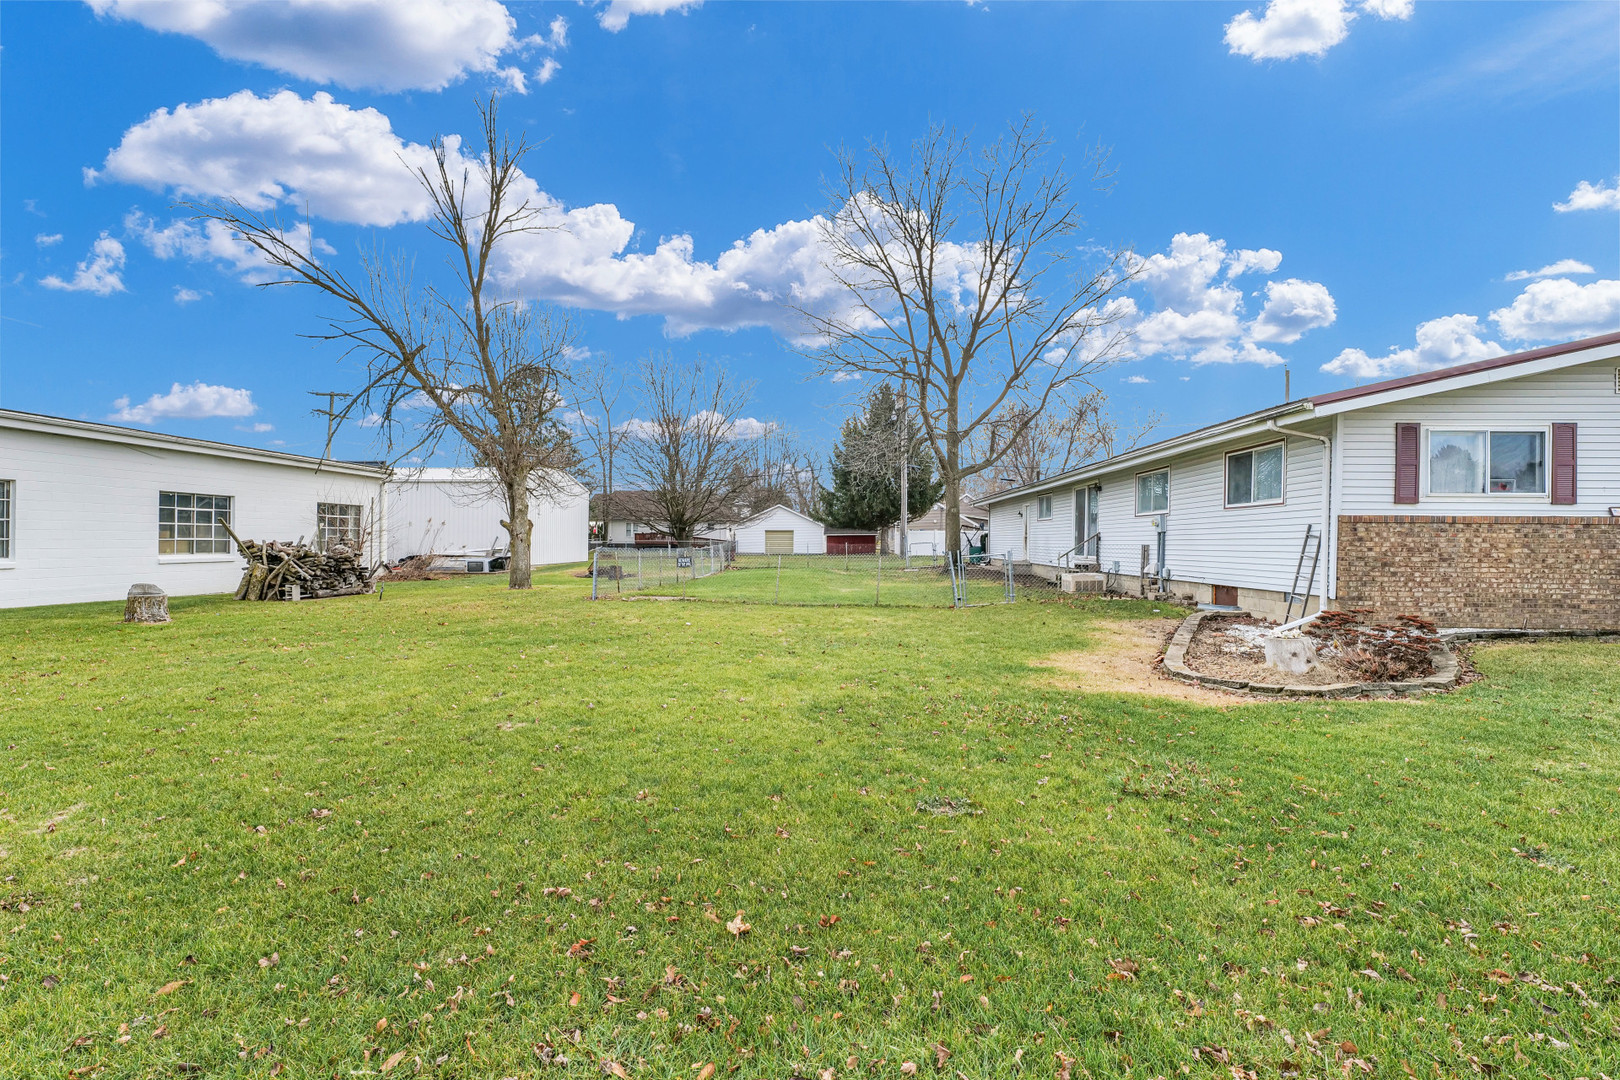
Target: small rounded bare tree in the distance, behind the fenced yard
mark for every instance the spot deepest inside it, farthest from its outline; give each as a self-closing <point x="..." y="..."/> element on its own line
<point x="691" y="454"/>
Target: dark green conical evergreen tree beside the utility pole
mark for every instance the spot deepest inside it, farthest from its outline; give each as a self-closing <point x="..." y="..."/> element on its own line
<point x="866" y="490"/>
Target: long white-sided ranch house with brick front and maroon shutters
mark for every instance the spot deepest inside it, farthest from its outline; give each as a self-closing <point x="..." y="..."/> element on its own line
<point x="1481" y="496"/>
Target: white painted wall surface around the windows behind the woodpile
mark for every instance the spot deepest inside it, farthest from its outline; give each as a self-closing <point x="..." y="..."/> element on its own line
<point x="87" y="514"/>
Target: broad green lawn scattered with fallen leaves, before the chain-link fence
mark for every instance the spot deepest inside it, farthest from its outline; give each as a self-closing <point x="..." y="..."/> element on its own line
<point x="456" y="828"/>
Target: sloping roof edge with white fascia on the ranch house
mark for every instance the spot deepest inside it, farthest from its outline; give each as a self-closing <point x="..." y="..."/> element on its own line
<point x="1438" y="381"/>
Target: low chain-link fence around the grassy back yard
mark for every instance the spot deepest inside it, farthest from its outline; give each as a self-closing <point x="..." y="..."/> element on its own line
<point x="720" y="574"/>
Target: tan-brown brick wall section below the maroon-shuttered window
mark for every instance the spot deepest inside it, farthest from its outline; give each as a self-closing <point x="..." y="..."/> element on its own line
<point x="1537" y="572"/>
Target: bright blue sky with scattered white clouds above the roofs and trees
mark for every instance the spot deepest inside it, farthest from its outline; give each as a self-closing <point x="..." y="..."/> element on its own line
<point x="1354" y="189"/>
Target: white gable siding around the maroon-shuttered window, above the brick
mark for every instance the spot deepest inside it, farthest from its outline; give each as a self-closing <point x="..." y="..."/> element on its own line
<point x="1584" y="396"/>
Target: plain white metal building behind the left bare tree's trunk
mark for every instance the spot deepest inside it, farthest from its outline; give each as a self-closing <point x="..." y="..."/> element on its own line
<point x="459" y="512"/>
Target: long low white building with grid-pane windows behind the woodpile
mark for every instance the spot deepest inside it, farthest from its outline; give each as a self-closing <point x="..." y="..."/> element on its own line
<point x="87" y="511"/>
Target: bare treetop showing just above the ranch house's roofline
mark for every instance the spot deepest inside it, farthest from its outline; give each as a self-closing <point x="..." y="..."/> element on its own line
<point x="1064" y="438"/>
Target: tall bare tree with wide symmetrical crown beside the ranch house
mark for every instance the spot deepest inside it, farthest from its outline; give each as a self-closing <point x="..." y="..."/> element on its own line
<point x="960" y="281"/>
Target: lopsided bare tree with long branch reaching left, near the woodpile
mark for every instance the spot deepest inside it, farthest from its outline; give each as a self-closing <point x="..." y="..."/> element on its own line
<point x="450" y="364"/>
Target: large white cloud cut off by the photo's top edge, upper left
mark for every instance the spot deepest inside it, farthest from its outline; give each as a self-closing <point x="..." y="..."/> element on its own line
<point x="383" y="45"/>
